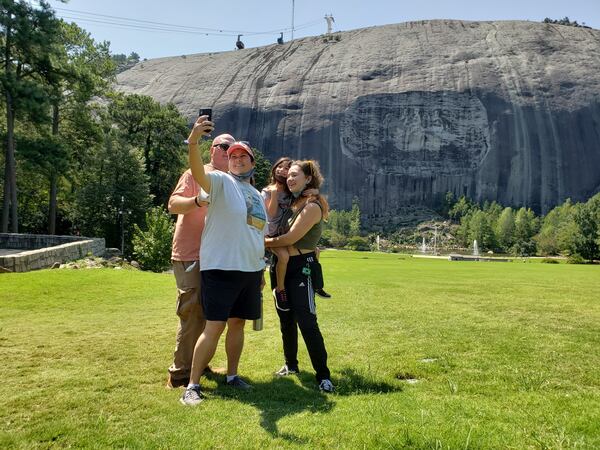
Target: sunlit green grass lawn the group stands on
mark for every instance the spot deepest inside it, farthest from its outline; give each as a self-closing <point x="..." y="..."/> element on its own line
<point x="507" y="355"/>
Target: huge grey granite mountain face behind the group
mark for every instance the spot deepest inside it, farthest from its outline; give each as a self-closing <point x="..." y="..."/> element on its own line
<point x="399" y="115"/>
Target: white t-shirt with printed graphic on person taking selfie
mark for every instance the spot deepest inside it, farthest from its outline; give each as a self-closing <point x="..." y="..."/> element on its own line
<point x="233" y="236"/>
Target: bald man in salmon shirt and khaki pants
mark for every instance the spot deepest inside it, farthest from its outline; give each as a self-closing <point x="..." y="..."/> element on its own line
<point x="187" y="202"/>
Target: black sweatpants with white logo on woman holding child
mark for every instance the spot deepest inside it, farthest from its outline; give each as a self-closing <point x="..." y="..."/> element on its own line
<point x="302" y="313"/>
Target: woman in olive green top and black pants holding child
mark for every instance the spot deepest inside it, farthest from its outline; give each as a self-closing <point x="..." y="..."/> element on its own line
<point x="306" y="225"/>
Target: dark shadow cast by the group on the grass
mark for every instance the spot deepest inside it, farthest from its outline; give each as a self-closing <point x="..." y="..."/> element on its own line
<point x="284" y="396"/>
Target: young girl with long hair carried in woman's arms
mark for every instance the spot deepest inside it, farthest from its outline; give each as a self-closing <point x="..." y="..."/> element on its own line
<point x="278" y="199"/>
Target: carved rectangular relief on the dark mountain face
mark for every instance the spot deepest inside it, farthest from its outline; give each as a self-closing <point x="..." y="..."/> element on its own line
<point x="416" y="133"/>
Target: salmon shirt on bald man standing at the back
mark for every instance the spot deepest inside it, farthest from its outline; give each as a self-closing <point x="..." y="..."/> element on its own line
<point x="189" y="227"/>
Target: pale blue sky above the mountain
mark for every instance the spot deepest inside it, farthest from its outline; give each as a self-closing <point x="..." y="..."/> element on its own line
<point x="159" y="28"/>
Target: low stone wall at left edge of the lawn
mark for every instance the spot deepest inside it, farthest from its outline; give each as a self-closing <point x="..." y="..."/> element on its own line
<point x="42" y="251"/>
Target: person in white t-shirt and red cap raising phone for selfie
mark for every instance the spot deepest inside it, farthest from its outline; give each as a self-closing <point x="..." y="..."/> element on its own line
<point x="231" y="252"/>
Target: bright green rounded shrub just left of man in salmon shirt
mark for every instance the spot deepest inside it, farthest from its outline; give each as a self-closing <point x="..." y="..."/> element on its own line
<point x="153" y="246"/>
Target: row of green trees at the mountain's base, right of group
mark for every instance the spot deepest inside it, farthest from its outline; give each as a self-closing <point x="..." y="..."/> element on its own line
<point x="570" y="229"/>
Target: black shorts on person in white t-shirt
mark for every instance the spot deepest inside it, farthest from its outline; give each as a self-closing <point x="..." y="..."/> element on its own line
<point x="231" y="294"/>
